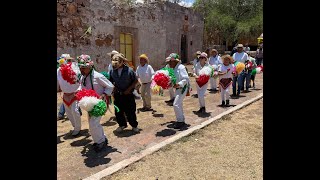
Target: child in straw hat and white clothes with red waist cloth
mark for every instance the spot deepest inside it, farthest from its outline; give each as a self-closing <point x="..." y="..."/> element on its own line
<point x="226" y="70"/>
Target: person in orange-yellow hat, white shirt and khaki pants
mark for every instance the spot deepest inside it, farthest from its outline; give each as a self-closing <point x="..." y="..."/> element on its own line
<point x="144" y="73"/>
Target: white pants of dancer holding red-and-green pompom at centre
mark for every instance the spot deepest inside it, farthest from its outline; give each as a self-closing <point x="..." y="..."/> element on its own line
<point x="177" y="105"/>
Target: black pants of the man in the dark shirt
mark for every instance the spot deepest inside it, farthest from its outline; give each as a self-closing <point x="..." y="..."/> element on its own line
<point x="127" y="106"/>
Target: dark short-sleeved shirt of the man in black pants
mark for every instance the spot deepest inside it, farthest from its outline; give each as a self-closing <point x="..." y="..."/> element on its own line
<point x="127" y="77"/>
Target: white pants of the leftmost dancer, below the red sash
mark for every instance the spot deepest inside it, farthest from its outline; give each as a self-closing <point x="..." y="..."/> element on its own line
<point x="73" y="115"/>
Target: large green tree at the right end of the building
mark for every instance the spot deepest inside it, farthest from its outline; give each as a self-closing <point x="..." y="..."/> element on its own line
<point x="231" y="19"/>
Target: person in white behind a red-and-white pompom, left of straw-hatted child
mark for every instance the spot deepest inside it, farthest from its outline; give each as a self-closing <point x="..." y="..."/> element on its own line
<point x="201" y="90"/>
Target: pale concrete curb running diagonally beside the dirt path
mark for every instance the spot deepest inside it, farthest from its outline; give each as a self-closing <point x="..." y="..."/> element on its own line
<point x="124" y="163"/>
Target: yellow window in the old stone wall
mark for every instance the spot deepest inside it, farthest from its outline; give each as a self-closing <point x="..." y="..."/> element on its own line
<point x="126" y="47"/>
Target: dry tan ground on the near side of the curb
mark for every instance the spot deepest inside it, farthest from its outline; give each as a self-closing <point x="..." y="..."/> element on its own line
<point x="229" y="148"/>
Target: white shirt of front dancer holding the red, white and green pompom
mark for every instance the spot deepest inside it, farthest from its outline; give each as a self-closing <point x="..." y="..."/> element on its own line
<point x="100" y="83"/>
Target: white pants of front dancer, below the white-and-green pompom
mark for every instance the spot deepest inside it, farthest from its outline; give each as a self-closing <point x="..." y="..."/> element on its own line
<point x="96" y="129"/>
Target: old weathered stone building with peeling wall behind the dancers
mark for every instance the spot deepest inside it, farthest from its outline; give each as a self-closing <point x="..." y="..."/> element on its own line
<point x="96" y="27"/>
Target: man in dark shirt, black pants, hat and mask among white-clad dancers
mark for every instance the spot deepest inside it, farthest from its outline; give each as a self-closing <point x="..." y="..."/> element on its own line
<point x="124" y="79"/>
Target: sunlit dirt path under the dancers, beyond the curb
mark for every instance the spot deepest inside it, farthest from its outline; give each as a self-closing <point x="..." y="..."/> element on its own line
<point x="77" y="160"/>
